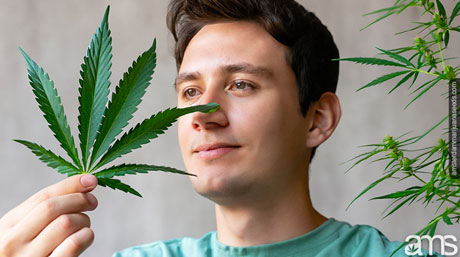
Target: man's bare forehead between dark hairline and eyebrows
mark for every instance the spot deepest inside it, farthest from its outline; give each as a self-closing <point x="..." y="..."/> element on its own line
<point x="232" y="47"/>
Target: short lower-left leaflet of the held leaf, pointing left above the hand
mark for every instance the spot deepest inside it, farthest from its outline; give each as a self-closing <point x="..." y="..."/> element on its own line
<point x="52" y="160"/>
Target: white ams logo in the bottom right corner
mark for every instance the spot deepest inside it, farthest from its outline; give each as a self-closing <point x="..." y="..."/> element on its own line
<point x="416" y="248"/>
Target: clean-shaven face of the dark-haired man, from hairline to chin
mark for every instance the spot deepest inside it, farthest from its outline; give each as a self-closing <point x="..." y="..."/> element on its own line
<point x="255" y="144"/>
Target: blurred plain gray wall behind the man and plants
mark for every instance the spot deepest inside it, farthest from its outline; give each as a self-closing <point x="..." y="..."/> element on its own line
<point x="56" y="33"/>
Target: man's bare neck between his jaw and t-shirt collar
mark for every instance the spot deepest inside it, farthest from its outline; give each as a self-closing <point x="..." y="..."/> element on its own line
<point x="267" y="222"/>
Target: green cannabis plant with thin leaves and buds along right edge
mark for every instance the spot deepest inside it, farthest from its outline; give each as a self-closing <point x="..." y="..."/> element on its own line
<point x="429" y="166"/>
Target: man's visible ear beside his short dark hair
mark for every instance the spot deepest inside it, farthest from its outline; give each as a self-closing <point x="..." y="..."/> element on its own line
<point x="323" y="117"/>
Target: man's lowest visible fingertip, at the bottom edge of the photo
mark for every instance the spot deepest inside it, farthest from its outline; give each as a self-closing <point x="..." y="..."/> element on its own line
<point x="74" y="245"/>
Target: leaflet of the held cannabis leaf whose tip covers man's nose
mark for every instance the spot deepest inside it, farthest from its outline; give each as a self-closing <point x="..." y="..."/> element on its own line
<point x="149" y="129"/>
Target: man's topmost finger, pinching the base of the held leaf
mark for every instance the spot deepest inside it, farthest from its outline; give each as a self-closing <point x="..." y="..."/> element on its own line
<point x="74" y="184"/>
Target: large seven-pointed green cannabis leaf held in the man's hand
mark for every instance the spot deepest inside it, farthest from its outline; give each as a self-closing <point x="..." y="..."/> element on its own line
<point x="101" y="121"/>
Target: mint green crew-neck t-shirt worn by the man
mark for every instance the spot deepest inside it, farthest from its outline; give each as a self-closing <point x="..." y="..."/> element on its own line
<point x="332" y="239"/>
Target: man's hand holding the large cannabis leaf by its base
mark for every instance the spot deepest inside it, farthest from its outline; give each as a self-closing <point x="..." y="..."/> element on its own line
<point x="51" y="222"/>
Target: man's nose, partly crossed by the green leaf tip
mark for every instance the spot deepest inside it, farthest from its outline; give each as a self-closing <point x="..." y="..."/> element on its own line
<point x="215" y="120"/>
